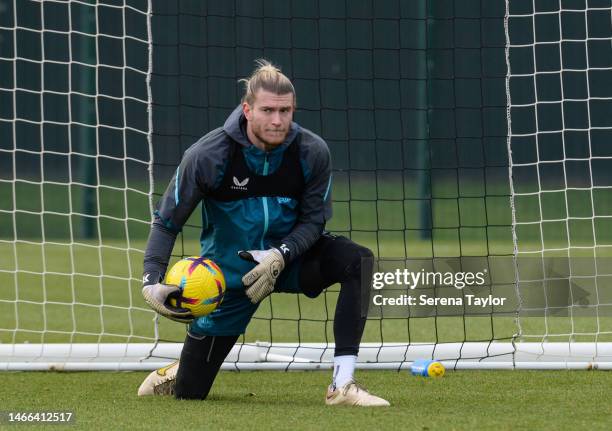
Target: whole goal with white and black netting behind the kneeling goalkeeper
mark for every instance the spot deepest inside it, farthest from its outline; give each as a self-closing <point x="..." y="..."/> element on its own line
<point x="468" y="139"/>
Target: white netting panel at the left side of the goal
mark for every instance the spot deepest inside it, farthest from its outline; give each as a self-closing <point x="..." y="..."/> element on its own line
<point x="74" y="156"/>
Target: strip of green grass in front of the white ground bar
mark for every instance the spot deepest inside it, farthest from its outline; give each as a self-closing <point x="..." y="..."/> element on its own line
<point x="465" y="400"/>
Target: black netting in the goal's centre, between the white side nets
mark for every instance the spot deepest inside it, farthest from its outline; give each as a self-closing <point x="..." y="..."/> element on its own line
<point x="410" y="98"/>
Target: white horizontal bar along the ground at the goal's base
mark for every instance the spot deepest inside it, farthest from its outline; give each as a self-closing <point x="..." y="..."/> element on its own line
<point x="310" y="356"/>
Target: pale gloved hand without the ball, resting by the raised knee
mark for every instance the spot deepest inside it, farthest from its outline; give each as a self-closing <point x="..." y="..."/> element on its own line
<point x="261" y="279"/>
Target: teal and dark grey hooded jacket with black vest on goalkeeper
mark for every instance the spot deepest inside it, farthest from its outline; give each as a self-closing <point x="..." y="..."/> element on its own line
<point x="260" y="205"/>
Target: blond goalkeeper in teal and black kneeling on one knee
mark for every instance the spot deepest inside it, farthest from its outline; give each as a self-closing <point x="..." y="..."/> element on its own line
<point x="264" y="183"/>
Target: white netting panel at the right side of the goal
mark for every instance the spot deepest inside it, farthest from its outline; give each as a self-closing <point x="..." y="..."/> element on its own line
<point x="559" y="70"/>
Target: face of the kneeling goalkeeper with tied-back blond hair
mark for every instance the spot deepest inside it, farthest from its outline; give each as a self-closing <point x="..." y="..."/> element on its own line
<point x="269" y="118"/>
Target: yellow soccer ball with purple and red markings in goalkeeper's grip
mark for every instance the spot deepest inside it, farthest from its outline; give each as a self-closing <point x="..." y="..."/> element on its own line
<point x="201" y="285"/>
